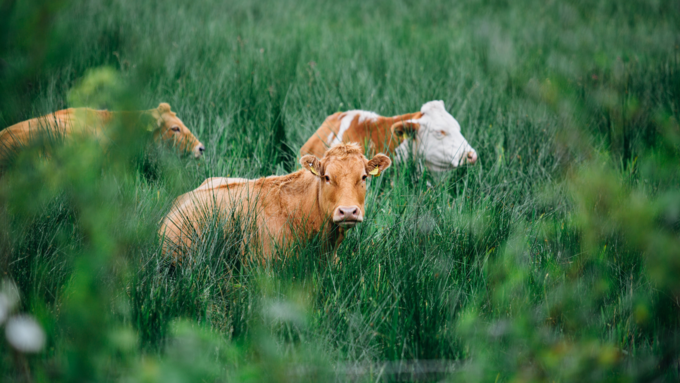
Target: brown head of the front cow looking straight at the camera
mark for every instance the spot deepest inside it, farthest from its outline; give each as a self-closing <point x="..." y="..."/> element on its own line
<point x="342" y="174"/>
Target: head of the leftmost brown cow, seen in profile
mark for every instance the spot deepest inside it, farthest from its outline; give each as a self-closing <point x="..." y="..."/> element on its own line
<point x="171" y="130"/>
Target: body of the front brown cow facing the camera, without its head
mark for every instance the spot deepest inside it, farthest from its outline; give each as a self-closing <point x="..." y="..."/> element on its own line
<point x="266" y="209"/>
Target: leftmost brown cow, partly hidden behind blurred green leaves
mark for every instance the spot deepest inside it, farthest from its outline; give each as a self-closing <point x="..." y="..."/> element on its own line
<point x="165" y="126"/>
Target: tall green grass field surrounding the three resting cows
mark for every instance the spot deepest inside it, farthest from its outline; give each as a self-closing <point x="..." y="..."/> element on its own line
<point x="555" y="258"/>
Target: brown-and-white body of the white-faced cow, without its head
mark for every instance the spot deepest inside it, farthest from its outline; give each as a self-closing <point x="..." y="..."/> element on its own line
<point x="377" y="134"/>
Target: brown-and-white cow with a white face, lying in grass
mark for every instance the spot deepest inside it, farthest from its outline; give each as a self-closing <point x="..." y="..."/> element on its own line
<point x="432" y="133"/>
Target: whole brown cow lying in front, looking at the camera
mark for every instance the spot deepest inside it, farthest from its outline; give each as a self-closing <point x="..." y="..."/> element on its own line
<point x="328" y="195"/>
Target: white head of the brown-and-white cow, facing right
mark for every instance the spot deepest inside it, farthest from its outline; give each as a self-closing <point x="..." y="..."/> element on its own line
<point x="435" y="136"/>
